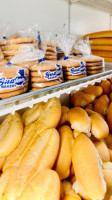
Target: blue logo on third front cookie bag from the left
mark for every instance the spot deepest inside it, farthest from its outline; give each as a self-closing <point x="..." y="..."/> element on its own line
<point x="79" y="70"/>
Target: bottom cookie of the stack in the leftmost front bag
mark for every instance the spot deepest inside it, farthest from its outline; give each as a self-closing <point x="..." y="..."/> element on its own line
<point x="14" y="93"/>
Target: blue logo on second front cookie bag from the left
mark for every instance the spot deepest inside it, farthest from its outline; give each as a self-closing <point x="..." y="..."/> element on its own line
<point x="49" y="75"/>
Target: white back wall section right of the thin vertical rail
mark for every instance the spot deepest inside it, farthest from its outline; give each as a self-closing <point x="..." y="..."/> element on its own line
<point x="86" y="19"/>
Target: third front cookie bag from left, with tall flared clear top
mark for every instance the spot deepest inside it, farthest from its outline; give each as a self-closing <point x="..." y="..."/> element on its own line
<point x="72" y="68"/>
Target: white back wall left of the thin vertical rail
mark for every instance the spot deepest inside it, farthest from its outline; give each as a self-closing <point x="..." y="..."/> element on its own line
<point x="49" y="14"/>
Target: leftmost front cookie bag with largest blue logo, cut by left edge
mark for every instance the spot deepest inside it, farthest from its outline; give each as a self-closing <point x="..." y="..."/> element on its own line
<point x="13" y="78"/>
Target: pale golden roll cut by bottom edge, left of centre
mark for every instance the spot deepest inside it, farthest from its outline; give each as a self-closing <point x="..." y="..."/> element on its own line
<point x="45" y="185"/>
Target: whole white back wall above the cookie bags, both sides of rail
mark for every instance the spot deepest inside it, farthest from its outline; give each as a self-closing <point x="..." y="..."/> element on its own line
<point x="51" y="15"/>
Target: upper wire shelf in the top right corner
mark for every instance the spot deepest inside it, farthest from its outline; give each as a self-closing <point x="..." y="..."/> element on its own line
<point x="103" y="5"/>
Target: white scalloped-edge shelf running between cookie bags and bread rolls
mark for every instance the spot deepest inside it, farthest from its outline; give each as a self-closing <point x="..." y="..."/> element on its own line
<point x="13" y="104"/>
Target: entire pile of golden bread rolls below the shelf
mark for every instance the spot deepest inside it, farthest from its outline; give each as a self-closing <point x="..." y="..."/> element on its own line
<point x="53" y="152"/>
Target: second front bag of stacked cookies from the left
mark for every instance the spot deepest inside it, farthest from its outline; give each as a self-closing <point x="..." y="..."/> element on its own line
<point x="45" y="73"/>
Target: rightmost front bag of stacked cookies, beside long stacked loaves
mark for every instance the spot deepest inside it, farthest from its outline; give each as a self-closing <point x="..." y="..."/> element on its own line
<point x="94" y="64"/>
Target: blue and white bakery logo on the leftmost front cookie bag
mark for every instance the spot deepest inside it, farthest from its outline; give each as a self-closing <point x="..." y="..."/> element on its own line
<point x="13" y="82"/>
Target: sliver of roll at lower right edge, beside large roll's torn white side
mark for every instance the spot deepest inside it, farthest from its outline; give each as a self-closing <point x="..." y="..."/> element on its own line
<point x="107" y="171"/>
